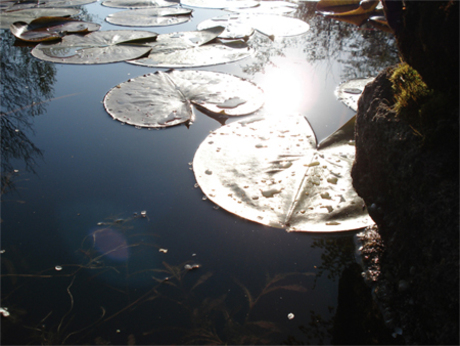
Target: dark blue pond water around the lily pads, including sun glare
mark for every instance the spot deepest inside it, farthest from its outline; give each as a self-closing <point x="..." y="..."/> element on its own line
<point x="67" y="166"/>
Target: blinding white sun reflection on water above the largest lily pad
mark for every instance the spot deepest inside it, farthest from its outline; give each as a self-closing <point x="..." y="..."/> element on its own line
<point x="289" y="87"/>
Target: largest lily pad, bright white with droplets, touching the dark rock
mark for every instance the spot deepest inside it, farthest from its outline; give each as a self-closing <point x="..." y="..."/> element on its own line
<point x="269" y="170"/>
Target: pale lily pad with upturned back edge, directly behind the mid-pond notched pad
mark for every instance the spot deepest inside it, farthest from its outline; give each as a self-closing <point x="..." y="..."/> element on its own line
<point x="191" y="49"/>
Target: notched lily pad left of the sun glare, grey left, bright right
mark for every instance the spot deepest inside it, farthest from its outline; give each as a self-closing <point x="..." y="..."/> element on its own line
<point x="164" y="99"/>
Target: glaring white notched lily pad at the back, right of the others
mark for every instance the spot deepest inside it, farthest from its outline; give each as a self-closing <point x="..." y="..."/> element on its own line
<point x="240" y="26"/>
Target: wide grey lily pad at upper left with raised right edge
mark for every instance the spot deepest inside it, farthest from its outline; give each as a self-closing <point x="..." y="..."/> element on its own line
<point x="98" y="47"/>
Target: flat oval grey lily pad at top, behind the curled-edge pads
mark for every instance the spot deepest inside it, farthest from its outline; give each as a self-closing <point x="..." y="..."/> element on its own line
<point x="150" y="17"/>
